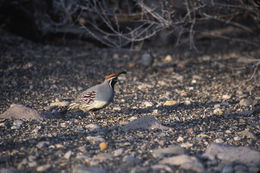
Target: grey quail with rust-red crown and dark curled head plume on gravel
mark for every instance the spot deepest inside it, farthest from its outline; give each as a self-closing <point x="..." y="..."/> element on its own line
<point x="98" y="96"/>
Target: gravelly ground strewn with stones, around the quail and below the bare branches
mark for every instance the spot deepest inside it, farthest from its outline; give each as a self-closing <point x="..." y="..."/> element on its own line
<point x="187" y="112"/>
